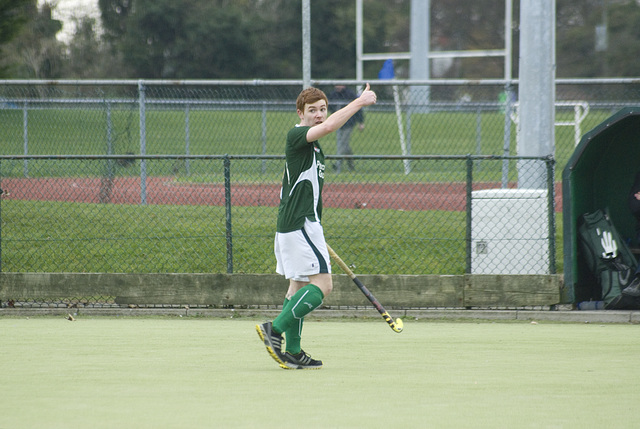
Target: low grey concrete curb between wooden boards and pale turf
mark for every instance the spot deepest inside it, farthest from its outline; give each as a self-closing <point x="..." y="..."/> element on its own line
<point x="569" y="316"/>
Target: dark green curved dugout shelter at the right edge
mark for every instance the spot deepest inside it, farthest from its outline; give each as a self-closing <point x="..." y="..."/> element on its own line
<point x="599" y="175"/>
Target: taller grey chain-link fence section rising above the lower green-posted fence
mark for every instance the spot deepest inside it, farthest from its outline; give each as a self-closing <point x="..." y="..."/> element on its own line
<point x="250" y="117"/>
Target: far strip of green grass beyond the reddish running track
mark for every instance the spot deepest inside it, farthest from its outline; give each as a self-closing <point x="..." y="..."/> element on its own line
<point x="91" y="131"/>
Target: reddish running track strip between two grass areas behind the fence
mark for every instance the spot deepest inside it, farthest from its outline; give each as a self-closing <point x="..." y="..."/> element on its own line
<point x="165" y="190"/>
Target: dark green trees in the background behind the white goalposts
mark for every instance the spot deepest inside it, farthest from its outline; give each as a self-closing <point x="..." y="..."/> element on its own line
<point x="261" y="39"/>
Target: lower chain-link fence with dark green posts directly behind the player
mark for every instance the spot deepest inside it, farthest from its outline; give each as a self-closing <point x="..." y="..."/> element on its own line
<point x="101" y="214"/>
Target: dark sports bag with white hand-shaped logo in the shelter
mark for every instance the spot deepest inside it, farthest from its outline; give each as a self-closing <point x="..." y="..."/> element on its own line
<point x="608" y="258"/>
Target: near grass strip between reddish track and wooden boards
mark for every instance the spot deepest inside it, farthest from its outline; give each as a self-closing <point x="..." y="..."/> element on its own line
<point x="72" y="237"/>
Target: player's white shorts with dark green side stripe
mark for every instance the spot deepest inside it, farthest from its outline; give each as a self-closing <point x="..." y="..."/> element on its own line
<point x="302" y="253"/>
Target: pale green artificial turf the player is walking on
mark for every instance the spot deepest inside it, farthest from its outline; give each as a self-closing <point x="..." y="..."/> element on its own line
<point x="200" y="372"/>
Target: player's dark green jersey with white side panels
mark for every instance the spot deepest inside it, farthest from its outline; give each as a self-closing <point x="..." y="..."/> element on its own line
<point x="302" y="181"/>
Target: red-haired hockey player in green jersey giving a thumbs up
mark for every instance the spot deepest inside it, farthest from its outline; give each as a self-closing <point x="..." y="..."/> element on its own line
<point x="300" y="248"/>
